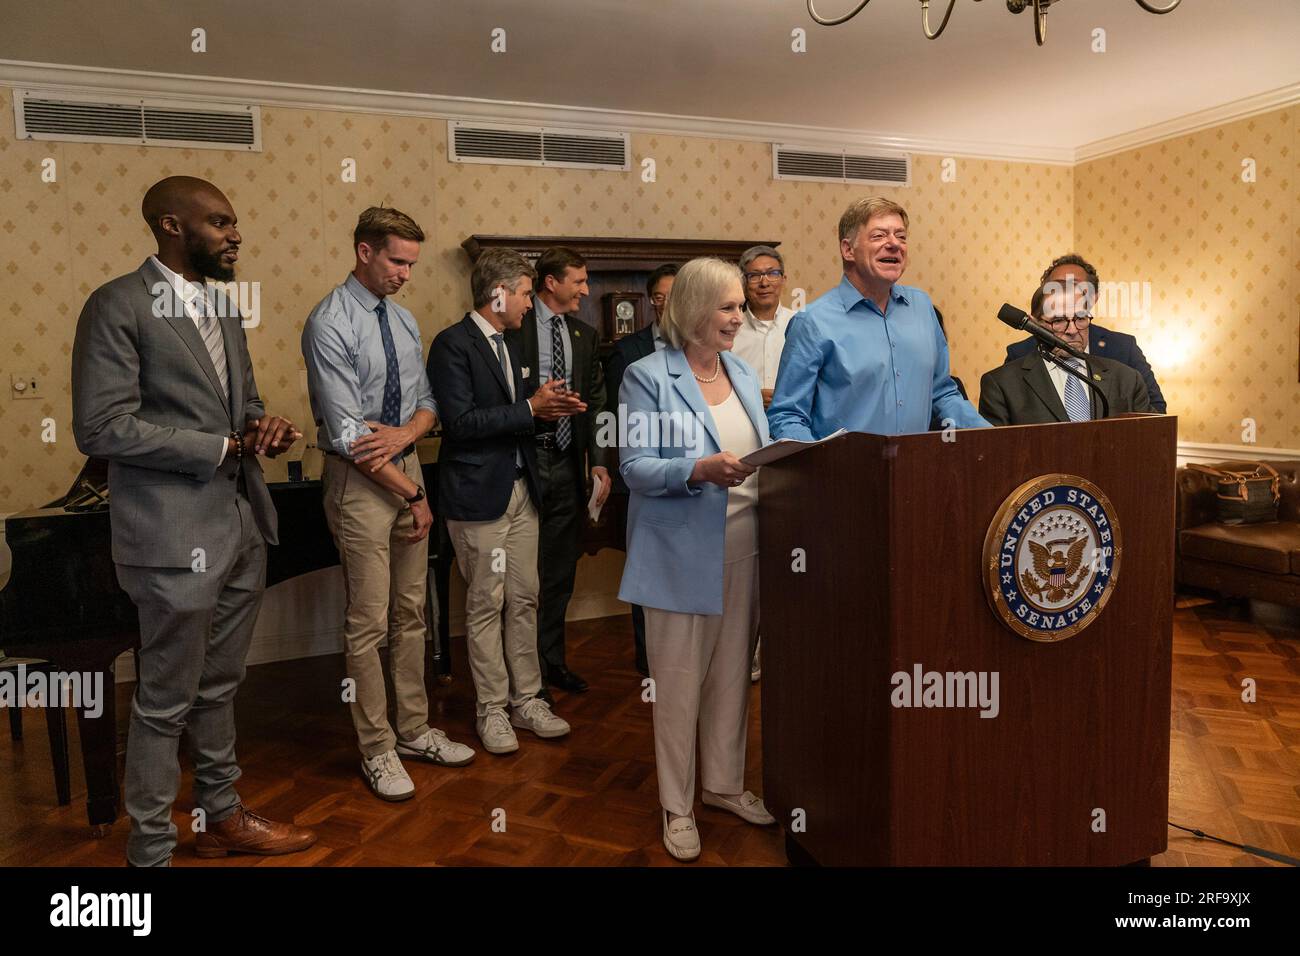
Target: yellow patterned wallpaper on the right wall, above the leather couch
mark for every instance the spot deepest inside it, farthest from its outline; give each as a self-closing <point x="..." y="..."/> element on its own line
<point x="1223" y="257"/>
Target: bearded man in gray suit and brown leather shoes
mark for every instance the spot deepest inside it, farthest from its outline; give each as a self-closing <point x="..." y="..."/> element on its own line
<point x="163" y="388"/>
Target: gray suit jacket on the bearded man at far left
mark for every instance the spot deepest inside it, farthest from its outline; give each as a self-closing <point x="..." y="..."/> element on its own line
<point x="148" y="399"/>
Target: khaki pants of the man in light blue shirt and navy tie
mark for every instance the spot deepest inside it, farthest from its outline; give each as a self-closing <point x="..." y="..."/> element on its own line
<point x="385" y="578"/>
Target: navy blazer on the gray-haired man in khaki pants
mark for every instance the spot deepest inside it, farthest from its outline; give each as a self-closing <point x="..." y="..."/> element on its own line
<point x="482" y="427"/>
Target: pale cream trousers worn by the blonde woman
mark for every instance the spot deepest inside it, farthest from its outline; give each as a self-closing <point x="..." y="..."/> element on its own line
<point x="700" y="665"/>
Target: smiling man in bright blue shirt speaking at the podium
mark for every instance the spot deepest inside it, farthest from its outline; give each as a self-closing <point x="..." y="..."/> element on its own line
<point x="869" y="356"/>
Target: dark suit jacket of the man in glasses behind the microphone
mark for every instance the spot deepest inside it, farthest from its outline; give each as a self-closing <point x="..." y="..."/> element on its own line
<point x="1021" y="393"/>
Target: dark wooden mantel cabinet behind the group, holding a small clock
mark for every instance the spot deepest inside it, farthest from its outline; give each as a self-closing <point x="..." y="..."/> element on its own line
<point x="614" y="266"/>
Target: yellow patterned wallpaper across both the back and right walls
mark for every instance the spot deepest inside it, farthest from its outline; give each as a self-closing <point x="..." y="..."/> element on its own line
<point x="977" y="240"/>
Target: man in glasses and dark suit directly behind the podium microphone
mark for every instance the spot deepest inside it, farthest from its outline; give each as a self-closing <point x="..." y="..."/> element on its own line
<point x="1034" y="391"/>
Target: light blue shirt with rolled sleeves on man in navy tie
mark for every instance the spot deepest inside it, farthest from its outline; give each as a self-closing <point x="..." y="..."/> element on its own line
<point x="346" y="369"/>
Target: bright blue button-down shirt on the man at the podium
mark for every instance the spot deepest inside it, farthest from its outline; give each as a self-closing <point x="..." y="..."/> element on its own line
<point x="850" y="366"/>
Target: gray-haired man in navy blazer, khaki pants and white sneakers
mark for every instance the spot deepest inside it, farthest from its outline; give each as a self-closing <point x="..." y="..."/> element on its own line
<point x="489" y="492"/>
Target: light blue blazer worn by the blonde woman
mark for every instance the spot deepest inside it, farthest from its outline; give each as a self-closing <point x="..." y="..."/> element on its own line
<point x="675" y="530"/>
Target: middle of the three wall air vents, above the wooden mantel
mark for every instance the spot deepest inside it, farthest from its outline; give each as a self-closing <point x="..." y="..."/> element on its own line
<point x="538" y="146"/>
